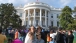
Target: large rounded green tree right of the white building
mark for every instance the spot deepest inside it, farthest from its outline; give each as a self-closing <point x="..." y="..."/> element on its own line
<point x="66" y="17"/>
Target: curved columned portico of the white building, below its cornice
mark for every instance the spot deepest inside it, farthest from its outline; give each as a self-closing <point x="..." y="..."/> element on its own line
<point x="36" y="17"/>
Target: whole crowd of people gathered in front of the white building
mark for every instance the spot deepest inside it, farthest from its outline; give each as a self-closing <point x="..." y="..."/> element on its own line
<point x="36" y="35"/>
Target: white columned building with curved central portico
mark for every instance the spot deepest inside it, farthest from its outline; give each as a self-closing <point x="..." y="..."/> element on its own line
<point x="38" y="13"/>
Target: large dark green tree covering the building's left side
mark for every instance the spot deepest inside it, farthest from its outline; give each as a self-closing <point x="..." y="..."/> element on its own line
<point x="8" y="16"/>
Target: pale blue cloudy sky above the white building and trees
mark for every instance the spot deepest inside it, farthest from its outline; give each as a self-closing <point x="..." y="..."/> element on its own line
<point x="54" y="3"/>
